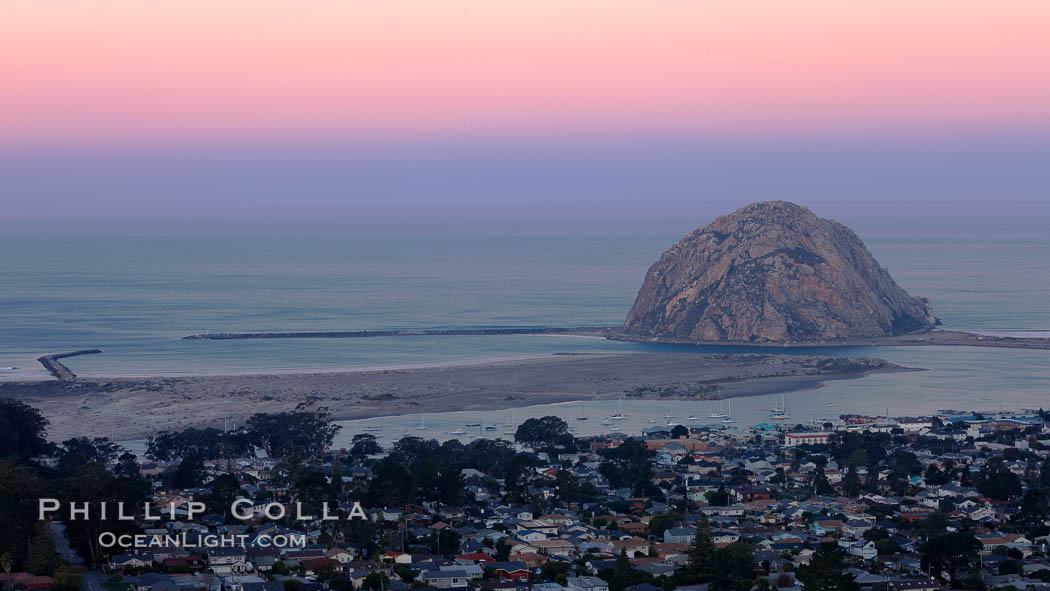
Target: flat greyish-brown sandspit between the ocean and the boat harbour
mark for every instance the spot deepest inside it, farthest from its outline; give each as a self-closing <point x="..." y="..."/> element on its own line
<point x="136" y="408"/>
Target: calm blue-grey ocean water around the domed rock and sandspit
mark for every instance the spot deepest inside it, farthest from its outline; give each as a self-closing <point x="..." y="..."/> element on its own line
<point x="135" y="298"/>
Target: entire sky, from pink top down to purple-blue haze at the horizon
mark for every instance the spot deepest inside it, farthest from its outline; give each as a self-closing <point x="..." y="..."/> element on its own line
<point x="222" y="111"/>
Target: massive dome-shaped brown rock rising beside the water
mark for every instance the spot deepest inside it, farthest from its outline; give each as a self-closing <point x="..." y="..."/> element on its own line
<point x="773" y="272"/>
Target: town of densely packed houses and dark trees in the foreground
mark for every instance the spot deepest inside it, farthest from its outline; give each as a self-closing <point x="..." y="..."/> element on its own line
<point x="949" y="501"/>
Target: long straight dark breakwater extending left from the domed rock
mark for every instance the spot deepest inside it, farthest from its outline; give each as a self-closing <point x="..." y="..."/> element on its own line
<point x="596" y="331"/>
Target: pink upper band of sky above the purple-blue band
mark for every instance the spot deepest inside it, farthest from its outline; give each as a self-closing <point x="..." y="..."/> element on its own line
<point x="78" y="71"/>
